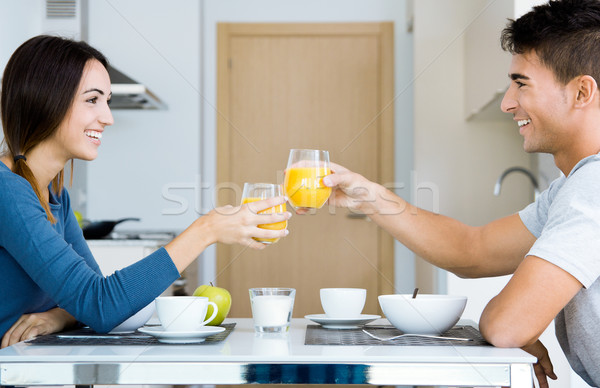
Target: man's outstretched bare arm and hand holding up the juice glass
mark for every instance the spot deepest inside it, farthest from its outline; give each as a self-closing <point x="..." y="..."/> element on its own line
<point x="491" y="250"/>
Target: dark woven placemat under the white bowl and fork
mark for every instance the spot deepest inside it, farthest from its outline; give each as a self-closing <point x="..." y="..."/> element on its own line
<point x="318" y="335"/>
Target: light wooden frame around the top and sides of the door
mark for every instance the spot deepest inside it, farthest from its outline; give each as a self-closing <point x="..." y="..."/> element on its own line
<point x="384" y="31"/>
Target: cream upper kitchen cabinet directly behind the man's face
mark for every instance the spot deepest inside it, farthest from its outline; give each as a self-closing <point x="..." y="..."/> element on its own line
<point x="486" y="64"/>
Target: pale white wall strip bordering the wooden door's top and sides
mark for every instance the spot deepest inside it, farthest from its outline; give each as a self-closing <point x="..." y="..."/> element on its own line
<point x="317" y="11"/>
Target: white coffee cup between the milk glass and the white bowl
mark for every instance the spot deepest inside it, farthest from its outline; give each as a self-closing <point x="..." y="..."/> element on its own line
<point x="343" y="302"/>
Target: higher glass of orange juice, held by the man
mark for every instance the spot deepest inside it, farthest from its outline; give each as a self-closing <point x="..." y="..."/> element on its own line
<point x="304" y="178"/>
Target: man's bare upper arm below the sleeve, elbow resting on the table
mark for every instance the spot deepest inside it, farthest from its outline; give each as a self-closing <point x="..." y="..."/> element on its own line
<point x="520" y="313"/>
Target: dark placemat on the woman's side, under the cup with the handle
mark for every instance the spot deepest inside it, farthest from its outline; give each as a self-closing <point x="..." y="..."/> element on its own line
<point x="87" y="336"/>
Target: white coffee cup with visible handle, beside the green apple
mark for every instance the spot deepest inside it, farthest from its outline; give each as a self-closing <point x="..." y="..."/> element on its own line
<point x="183" y="313"/>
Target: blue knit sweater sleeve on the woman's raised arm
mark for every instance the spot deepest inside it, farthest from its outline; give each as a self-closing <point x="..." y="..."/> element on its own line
<point x="61" y="265"/>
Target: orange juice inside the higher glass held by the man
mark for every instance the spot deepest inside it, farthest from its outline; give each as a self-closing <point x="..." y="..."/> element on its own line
<point x="304" y="186"/>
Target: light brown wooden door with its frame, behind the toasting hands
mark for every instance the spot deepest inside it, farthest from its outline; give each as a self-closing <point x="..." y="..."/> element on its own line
<point x="318" y="86"/>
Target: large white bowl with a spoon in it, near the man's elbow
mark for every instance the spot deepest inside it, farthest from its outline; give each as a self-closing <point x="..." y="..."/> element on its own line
<point x="425" y="314"/>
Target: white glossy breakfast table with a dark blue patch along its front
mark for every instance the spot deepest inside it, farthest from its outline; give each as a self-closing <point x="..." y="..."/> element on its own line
<point x="245" y="357"/>
